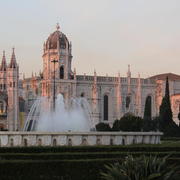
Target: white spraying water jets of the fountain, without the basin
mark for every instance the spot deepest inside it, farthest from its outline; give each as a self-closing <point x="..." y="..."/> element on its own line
<point x="73" y="115"/>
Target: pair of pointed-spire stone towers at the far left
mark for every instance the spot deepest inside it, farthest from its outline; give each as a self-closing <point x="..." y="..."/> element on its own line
<point x="9" y="94"/>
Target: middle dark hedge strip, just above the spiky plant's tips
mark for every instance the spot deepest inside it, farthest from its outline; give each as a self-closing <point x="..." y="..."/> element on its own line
<point x="71" y="156"/>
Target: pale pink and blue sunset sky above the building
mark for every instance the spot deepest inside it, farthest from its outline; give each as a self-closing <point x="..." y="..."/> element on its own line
<point x="106" y="35"/>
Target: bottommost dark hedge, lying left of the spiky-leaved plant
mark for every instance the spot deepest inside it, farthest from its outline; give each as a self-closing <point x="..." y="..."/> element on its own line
<point x="51" y="170"/>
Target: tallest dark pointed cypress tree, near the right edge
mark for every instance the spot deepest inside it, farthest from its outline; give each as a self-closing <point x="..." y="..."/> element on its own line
<point x="165" y="108"/>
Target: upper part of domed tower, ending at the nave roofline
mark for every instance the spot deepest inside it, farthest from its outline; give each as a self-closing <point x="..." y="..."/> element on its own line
<point x="57" y="47"/>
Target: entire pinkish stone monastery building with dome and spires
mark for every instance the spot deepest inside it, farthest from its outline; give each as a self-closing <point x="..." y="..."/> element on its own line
<point x="109" y="97"/>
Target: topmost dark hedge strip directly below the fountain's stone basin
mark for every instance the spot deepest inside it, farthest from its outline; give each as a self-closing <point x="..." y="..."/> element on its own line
<point x="135" y="148"/>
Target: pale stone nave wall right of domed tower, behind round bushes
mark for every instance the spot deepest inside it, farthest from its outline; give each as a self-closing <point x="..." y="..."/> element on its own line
<point x="108" y="86"/>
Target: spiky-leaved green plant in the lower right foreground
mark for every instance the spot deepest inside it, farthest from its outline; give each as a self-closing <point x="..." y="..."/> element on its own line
<point x="141" y="168"/>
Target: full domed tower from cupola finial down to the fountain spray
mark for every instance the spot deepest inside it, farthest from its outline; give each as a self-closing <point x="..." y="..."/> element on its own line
<point x="57" y="58"/>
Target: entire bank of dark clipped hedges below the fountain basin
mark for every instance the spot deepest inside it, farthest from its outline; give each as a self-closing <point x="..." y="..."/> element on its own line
<point x="72" y="163"/>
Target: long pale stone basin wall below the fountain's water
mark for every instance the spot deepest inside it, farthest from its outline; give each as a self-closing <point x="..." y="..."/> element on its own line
<point x="15" y="139"/>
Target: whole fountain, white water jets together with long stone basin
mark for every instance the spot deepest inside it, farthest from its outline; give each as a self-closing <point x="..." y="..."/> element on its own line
<point x="69" y="123"/>
